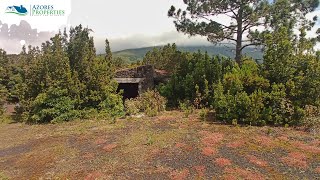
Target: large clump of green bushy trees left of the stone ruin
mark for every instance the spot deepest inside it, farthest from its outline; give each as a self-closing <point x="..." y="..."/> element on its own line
<point x="64" y="79"/>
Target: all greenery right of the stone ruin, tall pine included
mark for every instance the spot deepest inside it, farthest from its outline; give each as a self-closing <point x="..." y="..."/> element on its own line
<point x="274" y="92"/>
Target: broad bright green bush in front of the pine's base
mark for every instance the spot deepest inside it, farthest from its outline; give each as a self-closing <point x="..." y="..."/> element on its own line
<point x="251" y="100"/>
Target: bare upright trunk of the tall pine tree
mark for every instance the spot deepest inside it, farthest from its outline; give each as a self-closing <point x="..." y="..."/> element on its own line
<point x="239" y="36"/>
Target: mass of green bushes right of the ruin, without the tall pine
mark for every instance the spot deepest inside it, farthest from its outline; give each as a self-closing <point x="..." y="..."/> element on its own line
<point x="275" y="92"/>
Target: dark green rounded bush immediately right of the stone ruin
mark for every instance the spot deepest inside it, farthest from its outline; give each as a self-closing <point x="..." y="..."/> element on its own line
<point x="194" y="78"/>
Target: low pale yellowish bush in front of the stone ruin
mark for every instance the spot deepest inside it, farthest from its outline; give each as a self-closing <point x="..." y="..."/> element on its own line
<point x="150" y="102"/>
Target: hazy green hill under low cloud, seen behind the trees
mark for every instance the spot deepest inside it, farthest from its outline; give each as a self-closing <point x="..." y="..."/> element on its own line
<point x="133" y="55"/>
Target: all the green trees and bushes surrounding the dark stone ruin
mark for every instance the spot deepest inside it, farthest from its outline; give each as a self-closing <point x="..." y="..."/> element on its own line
<point x="65" y="79"/>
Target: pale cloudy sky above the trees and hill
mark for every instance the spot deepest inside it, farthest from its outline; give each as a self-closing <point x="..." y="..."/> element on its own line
<point x="126" y="23"/>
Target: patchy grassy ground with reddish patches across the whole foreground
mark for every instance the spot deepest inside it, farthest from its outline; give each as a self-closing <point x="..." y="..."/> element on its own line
<point x="168" y="146"/>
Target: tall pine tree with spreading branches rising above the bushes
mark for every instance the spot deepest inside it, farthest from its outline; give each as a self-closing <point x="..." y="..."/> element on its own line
<point x="201" y="17"/>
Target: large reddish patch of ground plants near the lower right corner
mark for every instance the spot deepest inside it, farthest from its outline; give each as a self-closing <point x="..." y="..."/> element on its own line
<point x="295" y="159"/>
